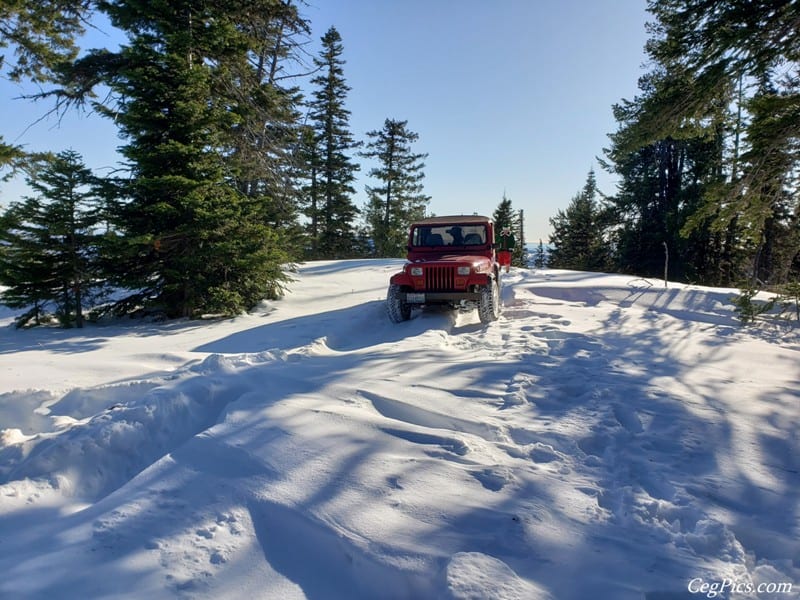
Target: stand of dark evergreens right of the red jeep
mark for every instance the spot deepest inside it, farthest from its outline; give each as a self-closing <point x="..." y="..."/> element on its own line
<point x="707" y="153"/>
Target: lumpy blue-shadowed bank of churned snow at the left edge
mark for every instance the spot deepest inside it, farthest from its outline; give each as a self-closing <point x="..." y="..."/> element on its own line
<point x="91" y="457"/>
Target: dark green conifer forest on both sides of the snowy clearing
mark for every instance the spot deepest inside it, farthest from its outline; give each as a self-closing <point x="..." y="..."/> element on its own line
<point x="231" y="172"/>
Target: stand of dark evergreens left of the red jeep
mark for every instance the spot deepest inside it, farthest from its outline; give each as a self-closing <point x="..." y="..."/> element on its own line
<point x="230" y="173"/>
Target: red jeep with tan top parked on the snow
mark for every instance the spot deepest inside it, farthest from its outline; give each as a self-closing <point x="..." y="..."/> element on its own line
<point x="451" y="261"/>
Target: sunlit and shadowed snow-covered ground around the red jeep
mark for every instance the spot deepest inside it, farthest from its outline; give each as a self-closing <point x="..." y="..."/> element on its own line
<point x="606" y="438"/>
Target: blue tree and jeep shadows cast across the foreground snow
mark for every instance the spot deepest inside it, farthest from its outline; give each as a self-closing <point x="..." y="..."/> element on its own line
<point x="645" y="456"/>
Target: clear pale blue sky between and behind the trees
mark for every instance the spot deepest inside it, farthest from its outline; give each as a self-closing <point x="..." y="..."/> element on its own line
<point x="507" y="96"/>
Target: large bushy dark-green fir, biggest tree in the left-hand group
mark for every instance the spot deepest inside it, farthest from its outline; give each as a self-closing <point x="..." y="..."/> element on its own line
<point x="189" y="240"/>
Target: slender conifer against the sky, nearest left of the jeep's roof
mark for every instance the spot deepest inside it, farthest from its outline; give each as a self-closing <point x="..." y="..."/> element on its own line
<point x="399" y="201"/>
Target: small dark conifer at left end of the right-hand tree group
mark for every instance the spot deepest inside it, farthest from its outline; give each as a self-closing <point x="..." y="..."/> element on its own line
<point x="577" y="238"/>
